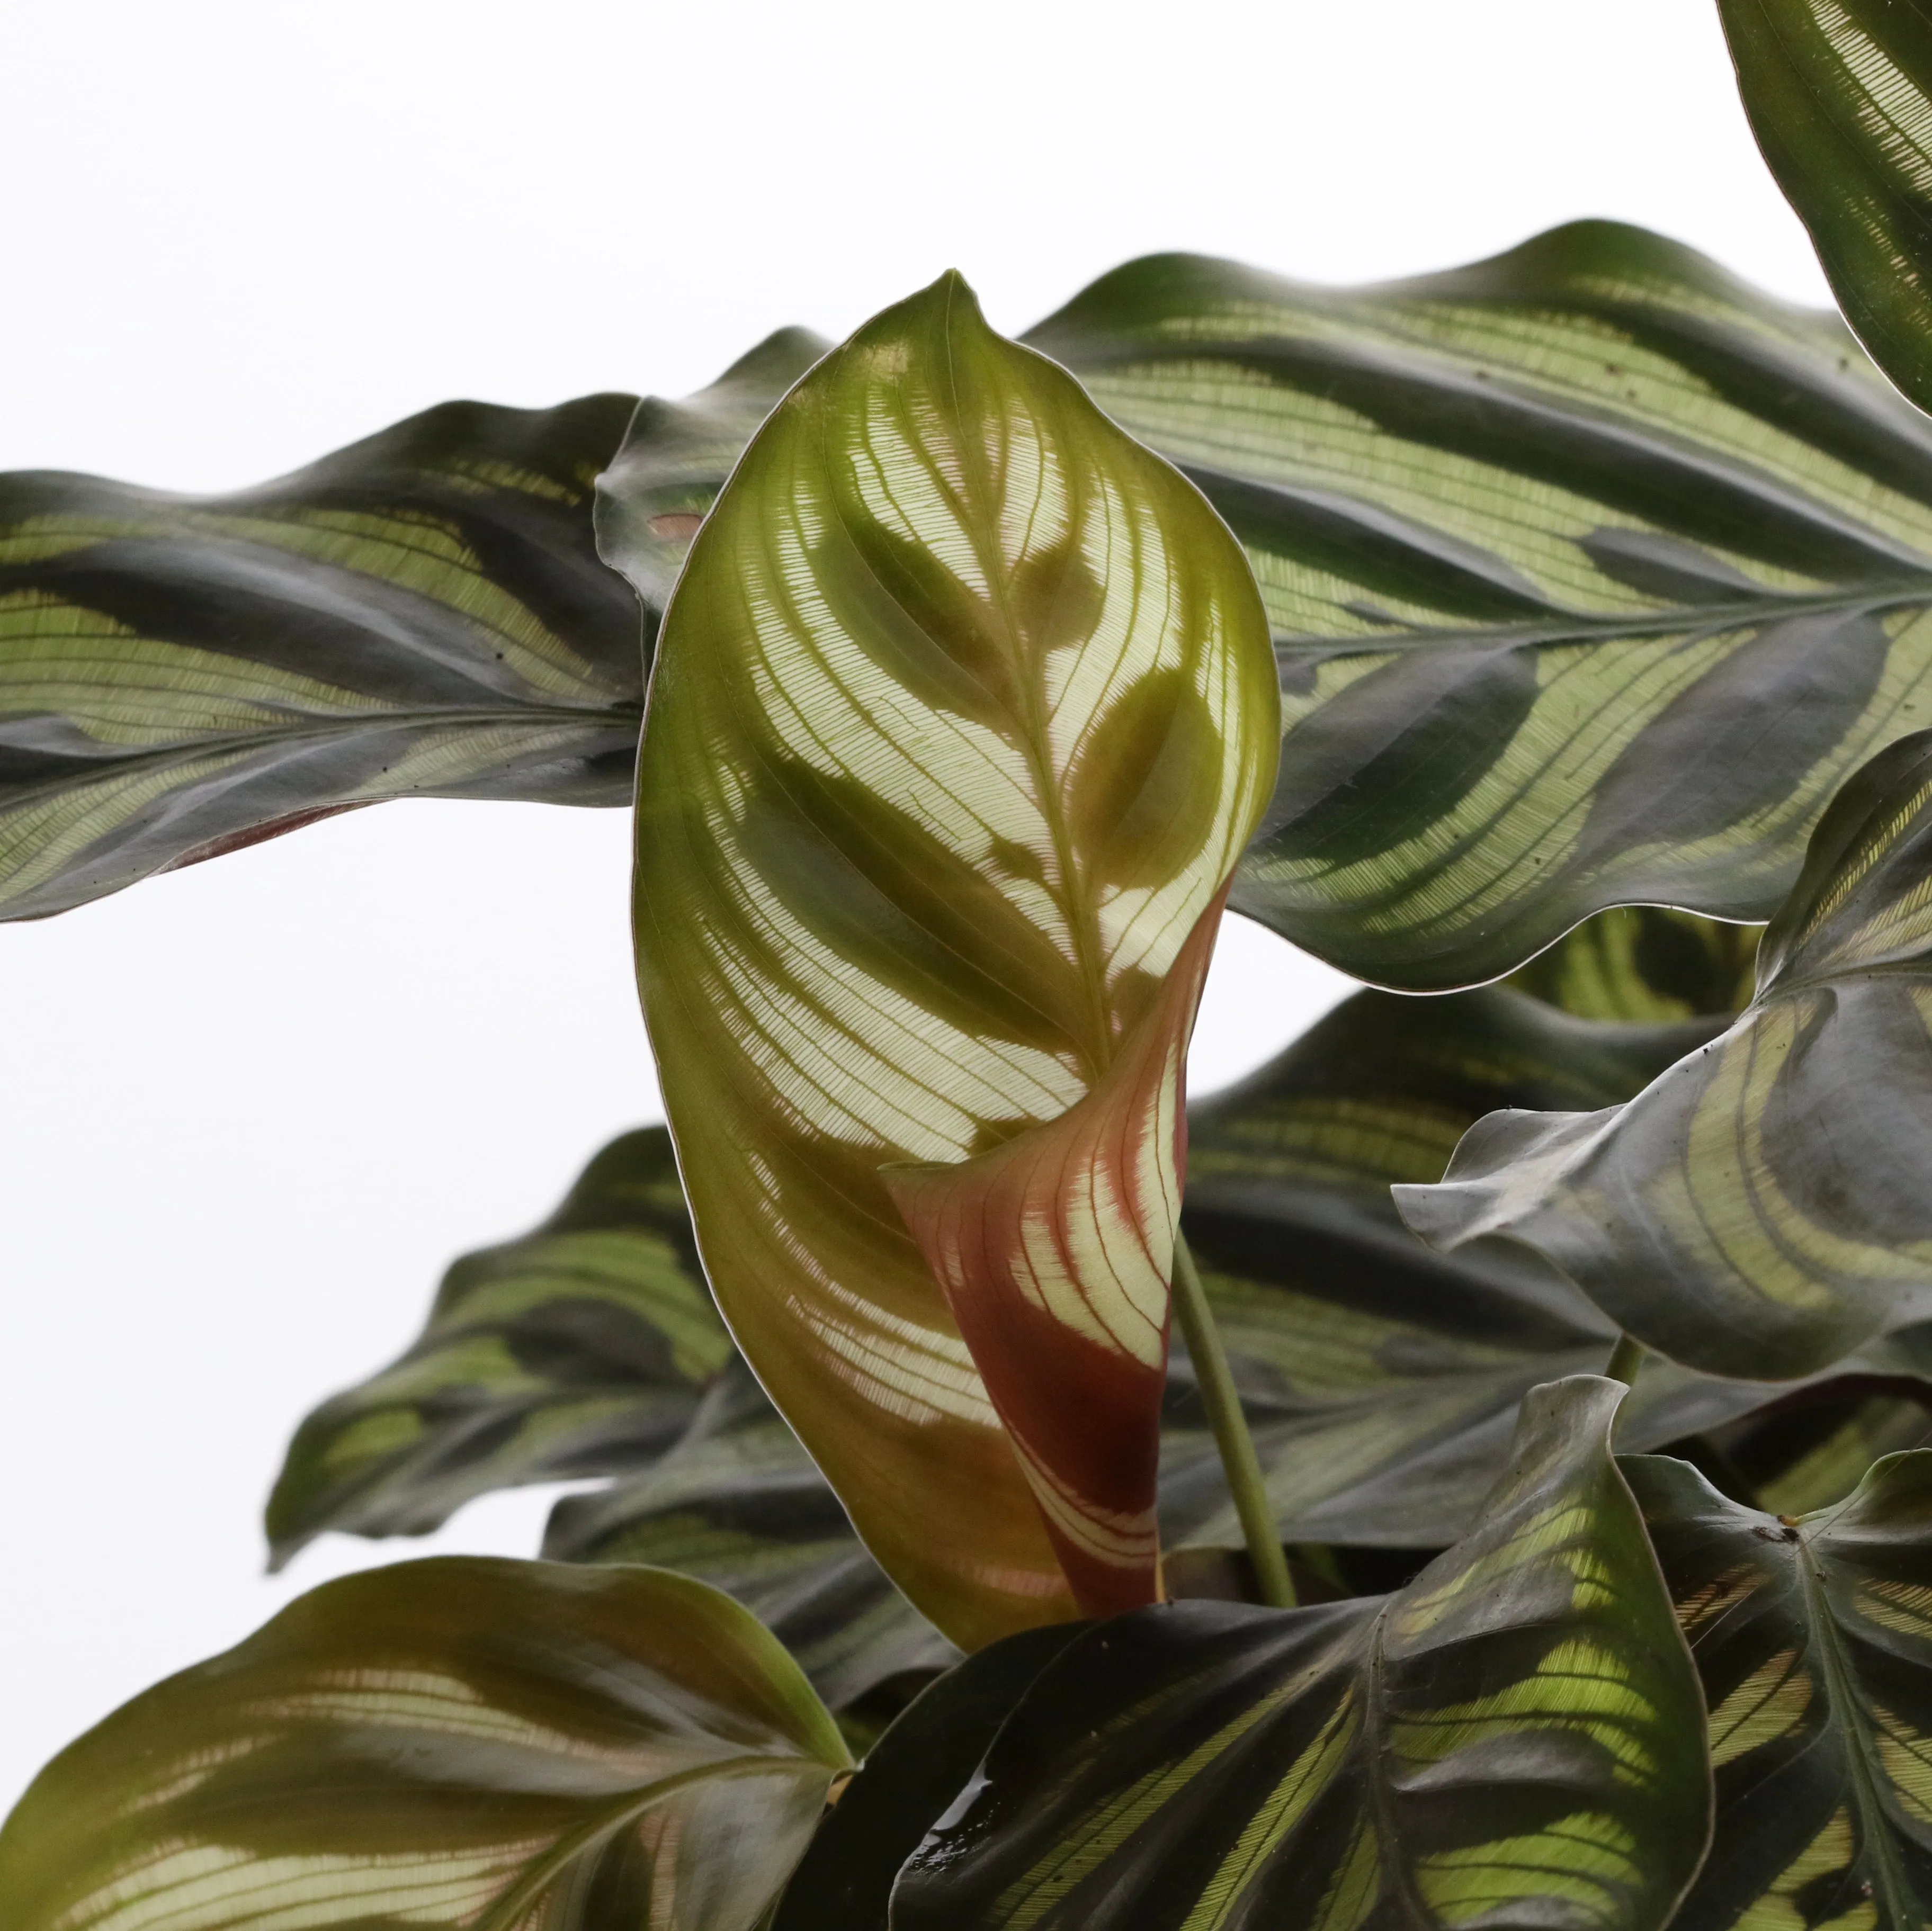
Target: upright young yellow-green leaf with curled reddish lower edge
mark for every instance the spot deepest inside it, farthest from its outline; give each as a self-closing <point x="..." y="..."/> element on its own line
<point x="961" y="717"/>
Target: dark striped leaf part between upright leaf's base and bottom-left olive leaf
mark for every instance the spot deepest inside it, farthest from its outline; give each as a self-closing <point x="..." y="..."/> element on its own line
<point x="741" y="1505"/>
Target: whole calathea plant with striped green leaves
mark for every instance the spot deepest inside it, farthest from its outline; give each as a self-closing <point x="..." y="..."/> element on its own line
<point x="1465" y="1474"/>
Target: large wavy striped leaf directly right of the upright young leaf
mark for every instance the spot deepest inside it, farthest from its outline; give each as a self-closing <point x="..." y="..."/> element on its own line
<point x="1593" y="576"/>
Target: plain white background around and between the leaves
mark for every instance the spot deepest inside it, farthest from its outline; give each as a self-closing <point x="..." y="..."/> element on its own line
<point x="252" y="1109"/>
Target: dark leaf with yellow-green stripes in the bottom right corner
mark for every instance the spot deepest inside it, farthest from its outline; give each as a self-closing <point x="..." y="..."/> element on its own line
<point x="1815" y="1646"/>
